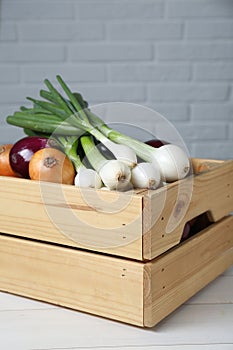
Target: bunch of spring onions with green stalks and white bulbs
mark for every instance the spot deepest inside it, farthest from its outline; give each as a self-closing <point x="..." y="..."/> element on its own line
<point x="70" y="121"/>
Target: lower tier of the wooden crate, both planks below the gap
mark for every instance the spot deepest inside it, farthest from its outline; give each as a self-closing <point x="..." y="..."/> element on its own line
<point x="121" y="289"/>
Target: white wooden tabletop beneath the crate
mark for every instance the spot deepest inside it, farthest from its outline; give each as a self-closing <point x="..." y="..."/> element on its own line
<point x="205" y="322"/>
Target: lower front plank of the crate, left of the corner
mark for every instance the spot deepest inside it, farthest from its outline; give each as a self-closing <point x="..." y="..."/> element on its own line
<point x="94" y="283"/>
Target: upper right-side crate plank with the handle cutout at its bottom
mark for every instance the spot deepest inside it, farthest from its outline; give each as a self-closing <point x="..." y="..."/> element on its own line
<point x="166" y="212"/>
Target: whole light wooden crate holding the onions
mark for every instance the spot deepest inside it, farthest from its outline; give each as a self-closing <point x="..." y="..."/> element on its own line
<point x="44" y="256"/>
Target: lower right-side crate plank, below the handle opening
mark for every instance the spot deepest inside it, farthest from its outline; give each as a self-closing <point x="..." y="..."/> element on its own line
<point x="177" y="275"/>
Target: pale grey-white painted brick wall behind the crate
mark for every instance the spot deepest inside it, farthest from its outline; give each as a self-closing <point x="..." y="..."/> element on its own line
<point x="175" y="56"/>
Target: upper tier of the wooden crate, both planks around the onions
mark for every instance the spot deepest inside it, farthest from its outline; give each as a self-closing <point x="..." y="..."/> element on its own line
<point x="139" y="225"/>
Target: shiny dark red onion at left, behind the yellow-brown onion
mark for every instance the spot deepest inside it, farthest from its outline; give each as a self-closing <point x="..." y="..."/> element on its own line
<point x="22" y="152"/>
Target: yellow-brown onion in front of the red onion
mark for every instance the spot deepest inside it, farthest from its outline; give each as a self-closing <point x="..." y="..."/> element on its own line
<point x="51" y="165"/>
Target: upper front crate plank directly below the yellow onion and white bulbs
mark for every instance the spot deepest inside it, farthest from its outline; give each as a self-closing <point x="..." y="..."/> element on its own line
<point x="104" y="221"/>
